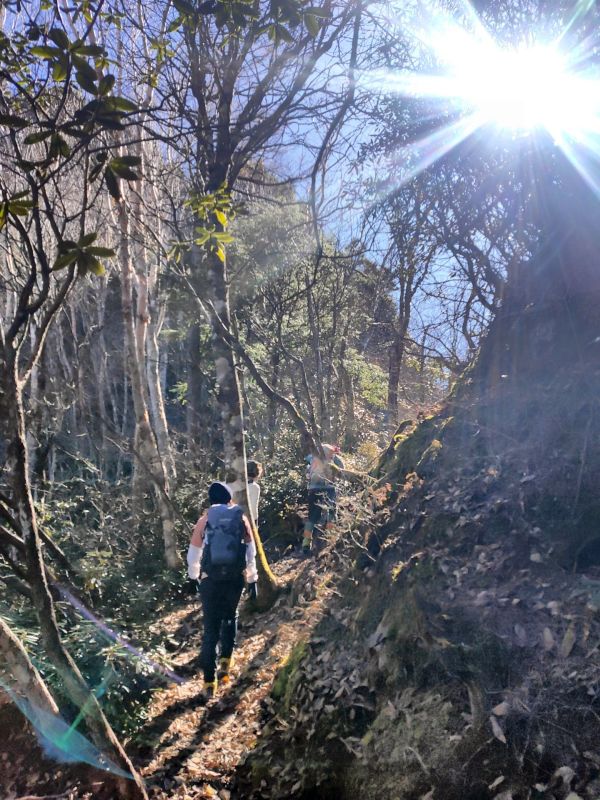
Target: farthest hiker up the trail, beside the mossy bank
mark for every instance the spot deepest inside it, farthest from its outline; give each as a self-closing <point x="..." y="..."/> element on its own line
<point x="322" y="494"/>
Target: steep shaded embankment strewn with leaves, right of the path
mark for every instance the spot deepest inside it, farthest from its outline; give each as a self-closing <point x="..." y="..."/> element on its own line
<point x="463" y="663"/>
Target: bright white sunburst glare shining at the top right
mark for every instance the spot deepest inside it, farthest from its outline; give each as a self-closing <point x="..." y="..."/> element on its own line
<point x="520" y="88"/>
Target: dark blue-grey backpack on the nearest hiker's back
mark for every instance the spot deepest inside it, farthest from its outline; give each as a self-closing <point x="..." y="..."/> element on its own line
<point x="224" y="554"/>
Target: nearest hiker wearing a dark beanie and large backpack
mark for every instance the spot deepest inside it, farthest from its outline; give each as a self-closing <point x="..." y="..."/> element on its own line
<point x="221" y="551"/>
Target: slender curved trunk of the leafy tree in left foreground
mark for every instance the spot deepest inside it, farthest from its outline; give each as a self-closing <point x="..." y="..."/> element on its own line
<point x="73" y="682"/>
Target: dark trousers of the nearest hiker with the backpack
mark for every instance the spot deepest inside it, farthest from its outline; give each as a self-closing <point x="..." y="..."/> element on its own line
<point x="220" y="601"/>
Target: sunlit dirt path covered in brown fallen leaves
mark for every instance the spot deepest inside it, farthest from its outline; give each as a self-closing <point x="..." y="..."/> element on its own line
<point x="191" y="751"/>
